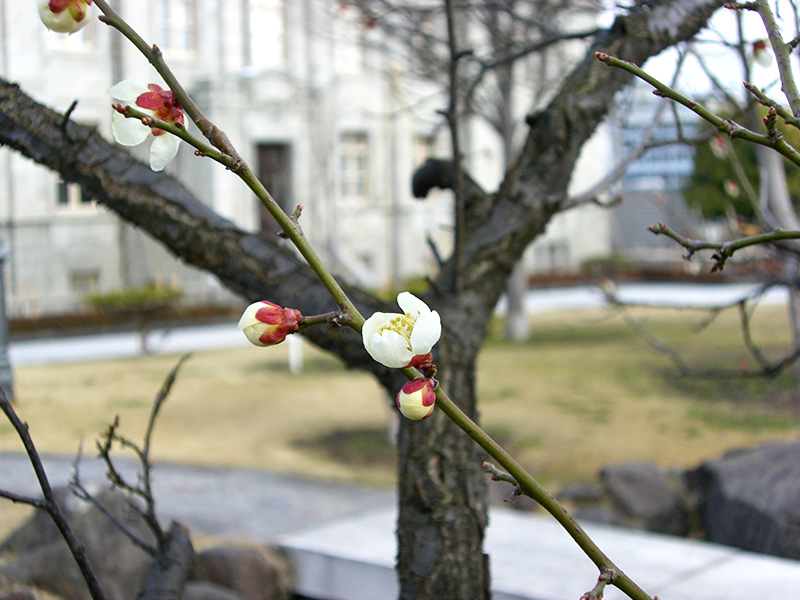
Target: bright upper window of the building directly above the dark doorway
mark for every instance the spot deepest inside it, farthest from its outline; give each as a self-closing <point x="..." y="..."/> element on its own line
<point x="266" y="33"/>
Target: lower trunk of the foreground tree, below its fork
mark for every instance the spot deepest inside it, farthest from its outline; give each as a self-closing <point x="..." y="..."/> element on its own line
<point x="442" y="497"/>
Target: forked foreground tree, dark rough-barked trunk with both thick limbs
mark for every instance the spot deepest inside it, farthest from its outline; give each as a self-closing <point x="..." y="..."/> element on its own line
<point x="441" y="488"/>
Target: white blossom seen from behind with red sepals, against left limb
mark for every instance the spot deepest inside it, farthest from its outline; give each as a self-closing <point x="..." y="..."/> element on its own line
<point x="156" y="102"/>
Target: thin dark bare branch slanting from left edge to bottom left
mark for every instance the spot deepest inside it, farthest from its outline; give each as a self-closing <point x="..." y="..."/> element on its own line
<point x="49" y="503"/>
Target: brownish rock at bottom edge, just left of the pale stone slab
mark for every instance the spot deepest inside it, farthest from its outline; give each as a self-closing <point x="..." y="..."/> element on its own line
<point x="251" y="572"/>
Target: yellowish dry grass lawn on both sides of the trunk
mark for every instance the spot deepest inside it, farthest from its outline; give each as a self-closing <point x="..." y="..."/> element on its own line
<point x="583" y="392"/>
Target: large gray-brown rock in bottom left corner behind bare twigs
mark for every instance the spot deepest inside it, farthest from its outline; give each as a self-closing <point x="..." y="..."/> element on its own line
<point x="37" y="555"/>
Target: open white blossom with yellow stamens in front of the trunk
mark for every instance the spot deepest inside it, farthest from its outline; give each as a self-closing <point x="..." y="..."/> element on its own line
<point x="395" y="339"/>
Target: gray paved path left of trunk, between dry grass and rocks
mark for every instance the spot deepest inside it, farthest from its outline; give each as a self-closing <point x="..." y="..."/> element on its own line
<point x="234" y="504"/>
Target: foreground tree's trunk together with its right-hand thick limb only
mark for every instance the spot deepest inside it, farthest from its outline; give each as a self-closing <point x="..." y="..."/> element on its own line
<point x="442" y="494"/>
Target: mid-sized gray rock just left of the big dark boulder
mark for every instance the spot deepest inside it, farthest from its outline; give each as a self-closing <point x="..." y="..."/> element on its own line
<point x="646" y="497"/>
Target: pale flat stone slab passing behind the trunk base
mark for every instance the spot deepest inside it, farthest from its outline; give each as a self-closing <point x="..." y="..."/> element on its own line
<point x="533" y="558"/>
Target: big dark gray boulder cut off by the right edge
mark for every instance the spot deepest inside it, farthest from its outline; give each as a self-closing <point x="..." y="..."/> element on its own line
<point x="750" y="499"/>
